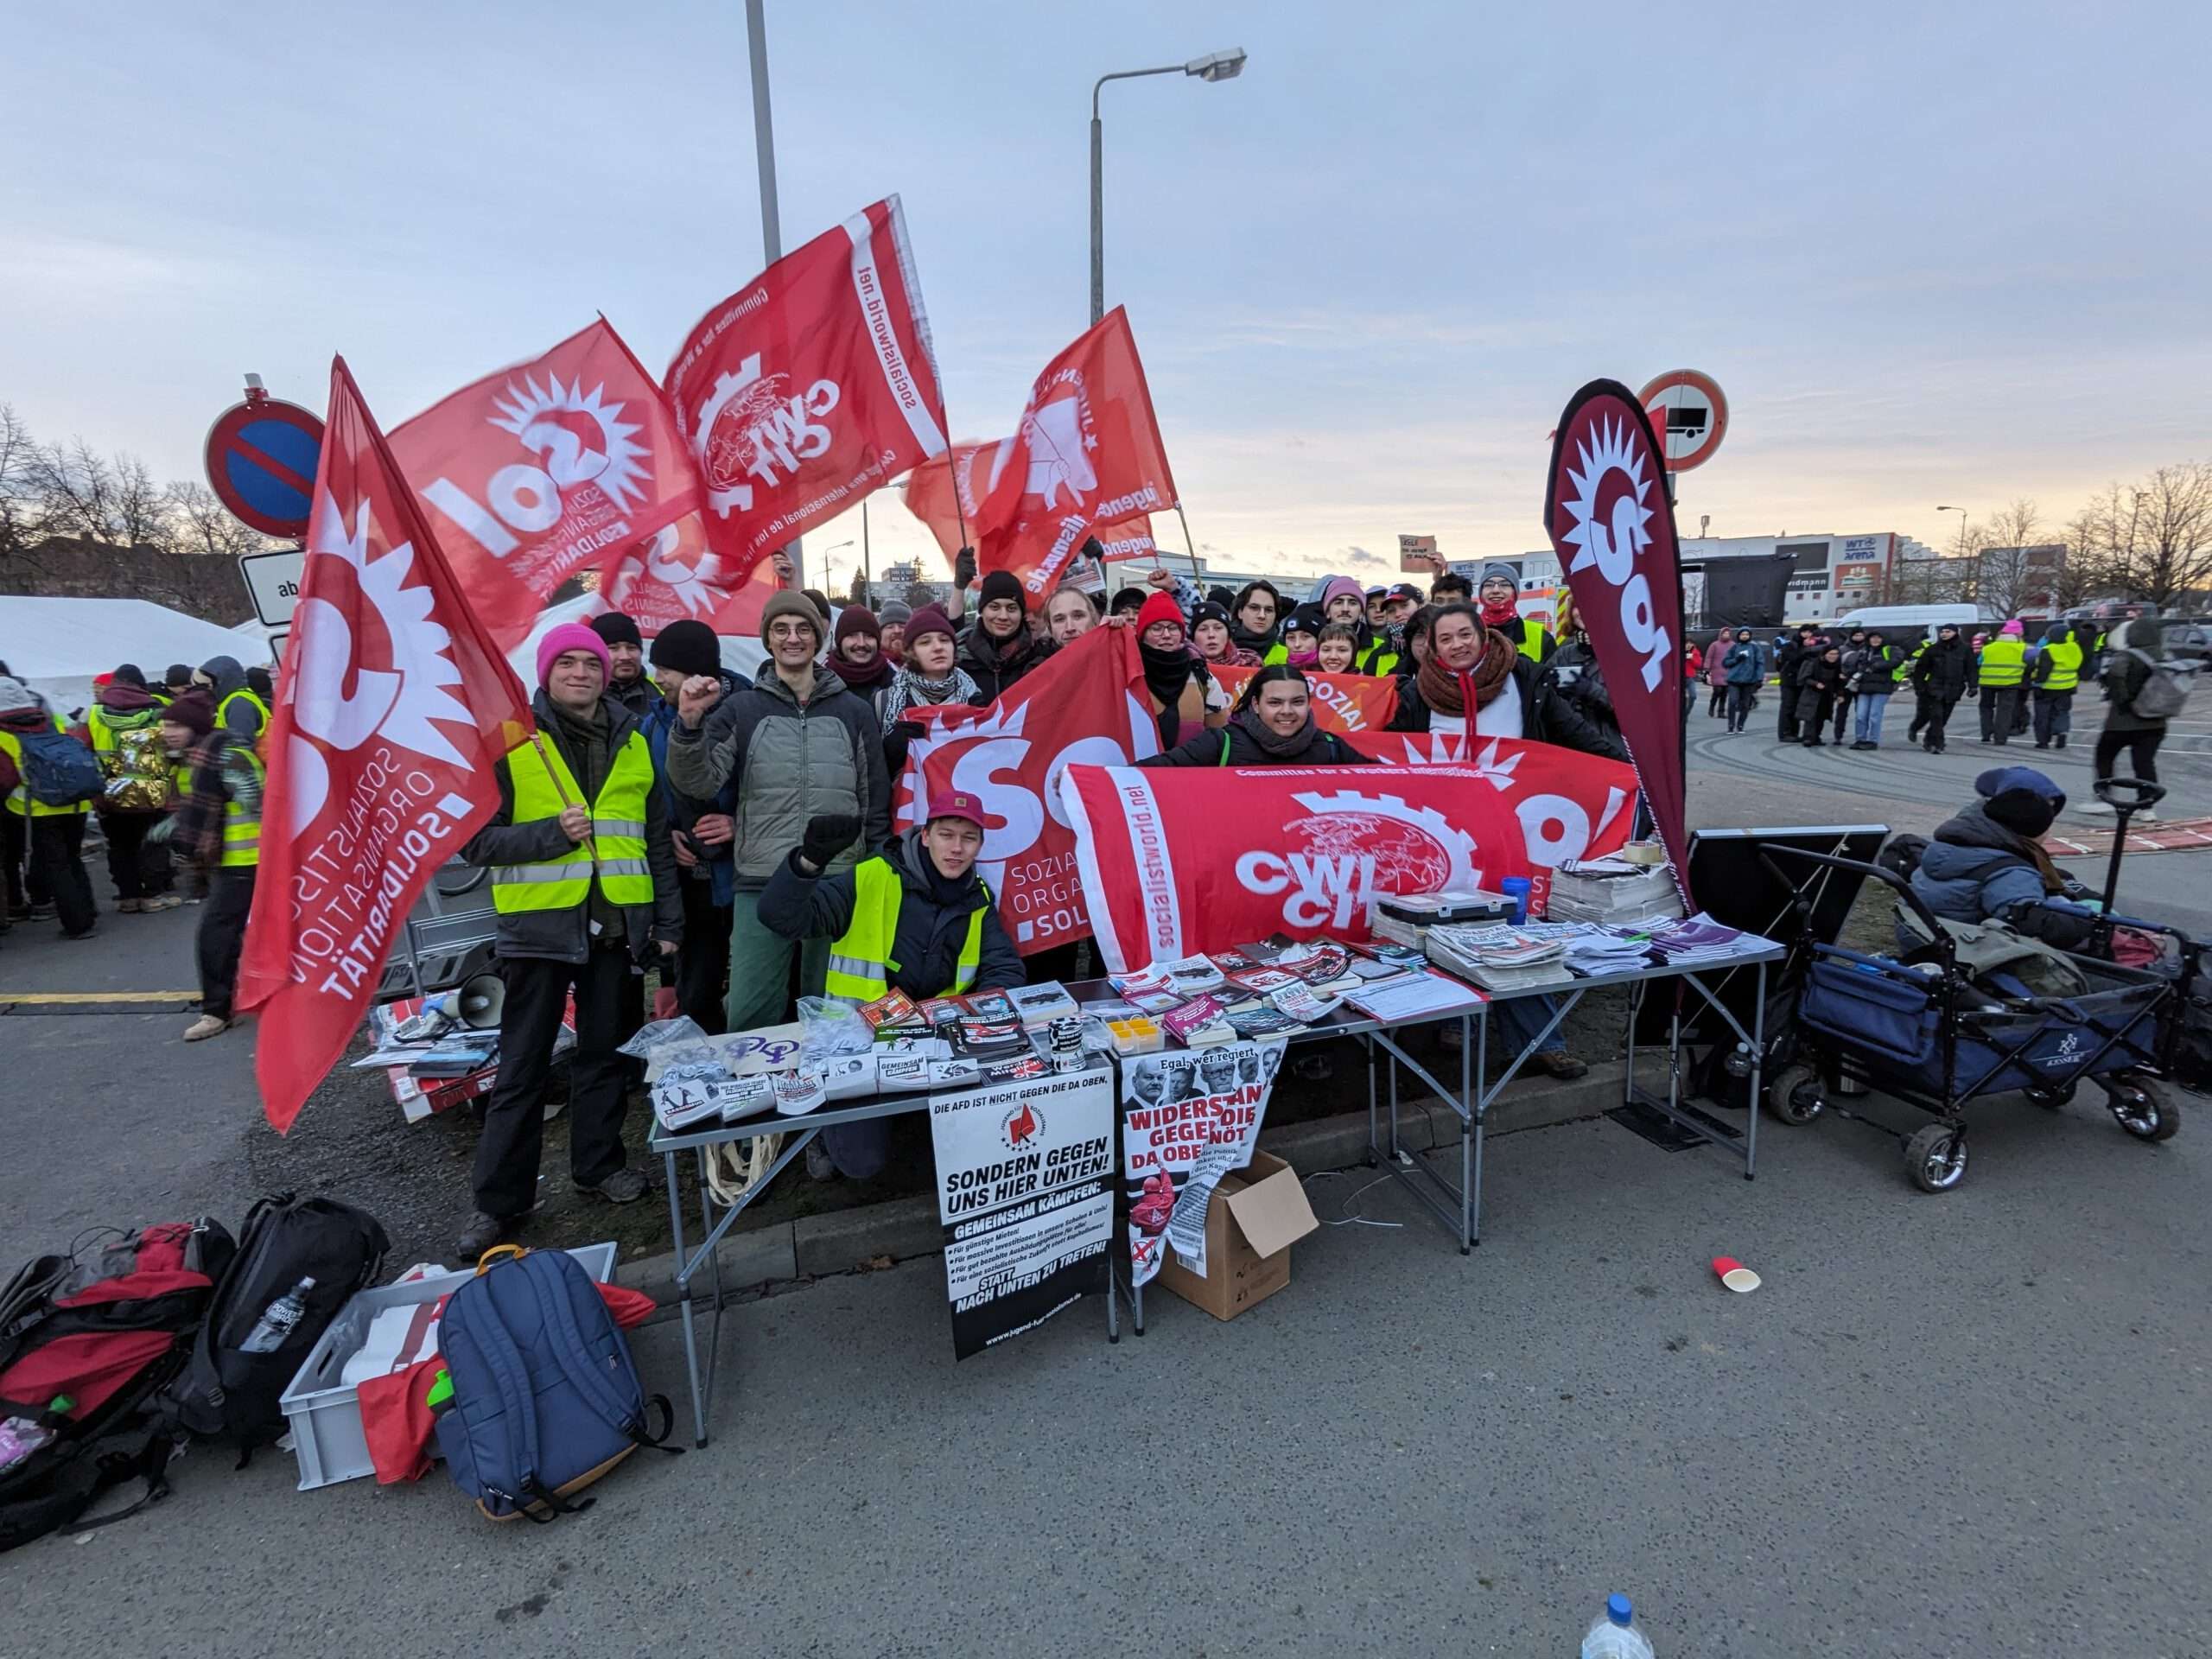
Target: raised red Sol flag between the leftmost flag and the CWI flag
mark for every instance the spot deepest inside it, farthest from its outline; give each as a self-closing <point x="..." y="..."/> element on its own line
<point x="545" y="470"/>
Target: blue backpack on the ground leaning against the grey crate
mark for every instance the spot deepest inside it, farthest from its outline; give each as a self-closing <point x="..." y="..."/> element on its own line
<point x="545" y="1395"/>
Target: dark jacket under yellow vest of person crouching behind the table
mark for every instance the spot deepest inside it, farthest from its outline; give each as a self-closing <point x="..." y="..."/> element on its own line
<point x="926" y="950"/>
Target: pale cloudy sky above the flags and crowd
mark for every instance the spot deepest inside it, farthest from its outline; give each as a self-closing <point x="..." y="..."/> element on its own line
<point x="1932" y="253"/>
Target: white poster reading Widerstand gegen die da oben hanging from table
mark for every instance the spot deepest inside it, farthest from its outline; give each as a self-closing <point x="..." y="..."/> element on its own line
<point x="1189" y="1118"/>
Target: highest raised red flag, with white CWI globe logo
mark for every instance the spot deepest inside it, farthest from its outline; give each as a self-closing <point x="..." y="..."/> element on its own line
<point x="808" y="388"/>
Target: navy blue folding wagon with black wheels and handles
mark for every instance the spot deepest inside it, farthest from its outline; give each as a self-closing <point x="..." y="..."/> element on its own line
<point x="1934" y="1034"/>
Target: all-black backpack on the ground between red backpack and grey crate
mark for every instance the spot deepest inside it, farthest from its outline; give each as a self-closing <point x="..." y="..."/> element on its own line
<point x="231" y="1395"/>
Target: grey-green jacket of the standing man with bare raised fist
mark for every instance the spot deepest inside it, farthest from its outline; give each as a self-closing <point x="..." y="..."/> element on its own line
<point x="791" y="764"/>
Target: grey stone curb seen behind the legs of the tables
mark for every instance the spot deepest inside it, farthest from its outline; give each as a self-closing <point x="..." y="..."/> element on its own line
<point x="846" y="1240"/>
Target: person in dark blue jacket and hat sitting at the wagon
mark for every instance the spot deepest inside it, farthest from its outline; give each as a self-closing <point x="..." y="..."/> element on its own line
<point x="1987" y="864"/>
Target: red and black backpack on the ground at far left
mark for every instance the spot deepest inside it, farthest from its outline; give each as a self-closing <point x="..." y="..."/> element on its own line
<point x="103" y="1328"/>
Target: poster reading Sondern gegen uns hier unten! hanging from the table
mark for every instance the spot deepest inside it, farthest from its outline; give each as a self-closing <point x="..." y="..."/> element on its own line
<point x="1025" y="1198"/>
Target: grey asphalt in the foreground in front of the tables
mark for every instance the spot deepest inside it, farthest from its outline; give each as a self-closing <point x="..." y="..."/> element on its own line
<point x="1948" y="1426"/>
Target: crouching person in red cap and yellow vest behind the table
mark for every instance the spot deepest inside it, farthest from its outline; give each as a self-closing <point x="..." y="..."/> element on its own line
<point x="915" y="919"/>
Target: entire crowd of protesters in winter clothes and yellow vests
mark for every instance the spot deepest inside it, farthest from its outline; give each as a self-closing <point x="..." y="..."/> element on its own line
<point x="735" y="835"/>
